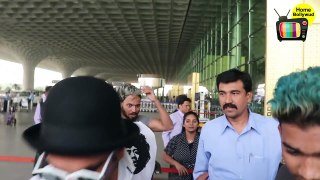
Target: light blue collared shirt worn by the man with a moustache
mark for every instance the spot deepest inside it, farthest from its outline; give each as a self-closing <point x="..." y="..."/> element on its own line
<point x="254" y="154"/>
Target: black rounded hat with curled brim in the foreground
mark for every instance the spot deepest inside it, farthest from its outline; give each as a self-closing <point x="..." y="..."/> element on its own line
<point x="82" y="117"/>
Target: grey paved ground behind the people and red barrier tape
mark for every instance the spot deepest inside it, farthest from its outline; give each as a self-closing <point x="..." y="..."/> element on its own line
<point x="12" y="145"/>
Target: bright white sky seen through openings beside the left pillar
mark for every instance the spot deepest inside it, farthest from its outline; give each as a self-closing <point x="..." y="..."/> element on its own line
<point x="12" y="73"/>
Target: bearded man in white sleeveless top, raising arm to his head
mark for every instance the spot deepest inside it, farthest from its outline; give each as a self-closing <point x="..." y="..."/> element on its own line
<point x="143" y="152"/>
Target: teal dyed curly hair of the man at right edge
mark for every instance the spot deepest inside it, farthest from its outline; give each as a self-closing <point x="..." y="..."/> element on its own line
<point x="296" y="98"/>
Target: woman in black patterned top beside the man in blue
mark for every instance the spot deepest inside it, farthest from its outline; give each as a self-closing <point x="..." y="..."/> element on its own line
<point x="181" y="150"/>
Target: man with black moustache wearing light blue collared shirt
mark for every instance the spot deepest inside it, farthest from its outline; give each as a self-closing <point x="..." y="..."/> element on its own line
<point x="240" y="144"/>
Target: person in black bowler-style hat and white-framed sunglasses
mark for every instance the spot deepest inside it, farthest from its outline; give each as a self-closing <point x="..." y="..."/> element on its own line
<point x="82" y="140"/>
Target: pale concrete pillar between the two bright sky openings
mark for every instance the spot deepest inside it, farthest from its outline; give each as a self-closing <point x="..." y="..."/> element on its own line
<point x="28" y="76"/>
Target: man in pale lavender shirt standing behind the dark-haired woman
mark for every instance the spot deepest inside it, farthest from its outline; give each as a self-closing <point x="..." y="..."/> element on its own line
<point x="184" y="106"/>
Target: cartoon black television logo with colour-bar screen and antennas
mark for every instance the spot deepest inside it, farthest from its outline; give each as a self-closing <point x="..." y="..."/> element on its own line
<point x="291" y="29"/>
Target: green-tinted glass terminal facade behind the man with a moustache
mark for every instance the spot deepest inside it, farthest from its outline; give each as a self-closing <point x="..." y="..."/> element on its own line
<point x="231" y="35"/>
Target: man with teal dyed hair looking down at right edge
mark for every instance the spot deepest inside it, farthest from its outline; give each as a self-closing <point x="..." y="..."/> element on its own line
<point x="296" y="104"/>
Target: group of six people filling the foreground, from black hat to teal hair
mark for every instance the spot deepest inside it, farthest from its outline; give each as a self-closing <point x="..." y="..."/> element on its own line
<point x="108" y="138"/>
